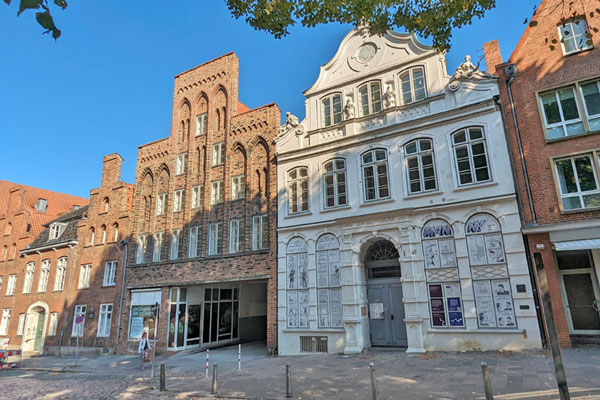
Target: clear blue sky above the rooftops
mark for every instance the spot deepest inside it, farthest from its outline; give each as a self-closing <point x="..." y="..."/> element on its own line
<point x="106" y="85"/>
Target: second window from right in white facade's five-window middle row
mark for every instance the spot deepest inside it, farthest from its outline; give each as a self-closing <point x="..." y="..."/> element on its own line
<point x="420" y="167"/>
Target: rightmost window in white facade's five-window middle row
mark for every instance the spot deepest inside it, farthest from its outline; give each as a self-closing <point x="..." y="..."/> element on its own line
<point x="470" y="155"/>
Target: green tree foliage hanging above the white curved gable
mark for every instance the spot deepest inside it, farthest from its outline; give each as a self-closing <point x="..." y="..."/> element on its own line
<point x="428" y="18"/>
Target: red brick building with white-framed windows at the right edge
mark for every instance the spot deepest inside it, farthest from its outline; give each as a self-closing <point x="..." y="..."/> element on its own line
<point x="550" y="89"/>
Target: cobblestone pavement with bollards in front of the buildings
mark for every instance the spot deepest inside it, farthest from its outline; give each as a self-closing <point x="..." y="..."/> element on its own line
<point x="515" y="376"/>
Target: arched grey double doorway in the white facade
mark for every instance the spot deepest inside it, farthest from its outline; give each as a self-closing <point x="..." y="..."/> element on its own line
<point x="384" y="293"/>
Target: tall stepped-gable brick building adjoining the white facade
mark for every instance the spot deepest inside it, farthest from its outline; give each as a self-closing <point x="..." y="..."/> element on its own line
<point x="204" y="219"/>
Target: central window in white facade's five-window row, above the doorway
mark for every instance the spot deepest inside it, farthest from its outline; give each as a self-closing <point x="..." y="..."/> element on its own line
<point x="375" y="174"/>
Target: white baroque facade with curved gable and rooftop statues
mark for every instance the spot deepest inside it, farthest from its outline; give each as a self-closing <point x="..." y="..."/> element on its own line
<point x="398" y="222"/>
